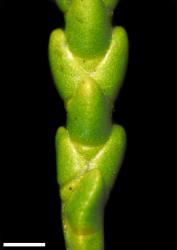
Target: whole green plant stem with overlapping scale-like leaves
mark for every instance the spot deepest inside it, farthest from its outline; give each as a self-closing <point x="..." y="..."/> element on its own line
<point x="88" y="62"/>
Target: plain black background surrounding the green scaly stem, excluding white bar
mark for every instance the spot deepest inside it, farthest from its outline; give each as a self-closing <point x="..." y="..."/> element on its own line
<point x="141" y="212"/>
